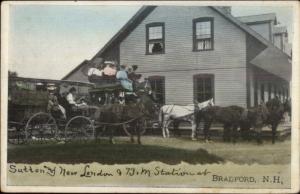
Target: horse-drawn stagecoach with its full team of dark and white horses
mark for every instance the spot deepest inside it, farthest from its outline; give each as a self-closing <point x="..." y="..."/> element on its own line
<point x="29" y="118"/>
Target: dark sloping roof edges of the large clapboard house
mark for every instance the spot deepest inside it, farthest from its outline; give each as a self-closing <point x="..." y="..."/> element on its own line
<point x="144" y="11"/>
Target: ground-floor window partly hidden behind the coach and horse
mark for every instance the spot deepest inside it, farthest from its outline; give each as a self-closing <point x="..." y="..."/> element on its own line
<point x="158" y="86"/>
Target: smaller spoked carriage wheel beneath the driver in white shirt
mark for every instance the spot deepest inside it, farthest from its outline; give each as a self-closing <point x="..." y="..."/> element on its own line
<point x="79" y="128"/>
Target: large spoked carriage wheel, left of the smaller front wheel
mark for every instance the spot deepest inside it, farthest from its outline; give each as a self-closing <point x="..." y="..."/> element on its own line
<point x="40" y="127"/>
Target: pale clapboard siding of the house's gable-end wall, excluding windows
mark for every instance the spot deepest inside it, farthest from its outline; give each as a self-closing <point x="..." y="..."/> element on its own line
<point x="179" y="63"/>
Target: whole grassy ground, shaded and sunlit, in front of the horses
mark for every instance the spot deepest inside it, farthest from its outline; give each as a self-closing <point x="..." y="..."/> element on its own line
<point x="170" y="151"/>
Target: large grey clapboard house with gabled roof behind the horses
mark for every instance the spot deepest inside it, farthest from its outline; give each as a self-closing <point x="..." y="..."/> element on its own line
<point x="196" y="53"/>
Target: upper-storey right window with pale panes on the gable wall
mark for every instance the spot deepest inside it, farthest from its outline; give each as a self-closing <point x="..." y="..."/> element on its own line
<point x="203" y="34"/>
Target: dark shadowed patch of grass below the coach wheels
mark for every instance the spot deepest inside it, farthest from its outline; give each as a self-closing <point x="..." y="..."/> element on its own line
<point x="107" y="153"/>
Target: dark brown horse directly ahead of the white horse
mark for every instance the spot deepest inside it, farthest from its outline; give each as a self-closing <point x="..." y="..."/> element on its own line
<point x="228" y="116"/>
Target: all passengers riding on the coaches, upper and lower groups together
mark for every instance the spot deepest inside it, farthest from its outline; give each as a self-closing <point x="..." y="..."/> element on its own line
<point x="61" y="105"/>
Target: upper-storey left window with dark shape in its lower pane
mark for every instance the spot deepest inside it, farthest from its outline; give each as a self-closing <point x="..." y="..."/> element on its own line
<point x="155" y="38"/>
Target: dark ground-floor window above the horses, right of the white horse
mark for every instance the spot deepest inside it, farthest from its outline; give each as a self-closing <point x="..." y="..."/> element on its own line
<point x="203" y="87"/>
